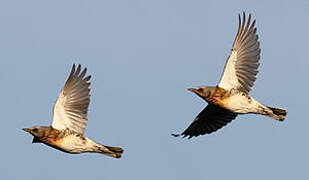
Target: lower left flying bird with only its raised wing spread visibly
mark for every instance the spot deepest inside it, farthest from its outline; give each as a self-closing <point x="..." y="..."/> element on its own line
<point x="70" y="117"/>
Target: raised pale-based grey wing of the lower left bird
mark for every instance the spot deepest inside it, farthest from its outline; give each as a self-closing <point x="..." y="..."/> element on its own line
<point x="71" y="107"/>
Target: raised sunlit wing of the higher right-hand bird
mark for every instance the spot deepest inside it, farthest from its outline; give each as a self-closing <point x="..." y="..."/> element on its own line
<point x="242" y="65"/>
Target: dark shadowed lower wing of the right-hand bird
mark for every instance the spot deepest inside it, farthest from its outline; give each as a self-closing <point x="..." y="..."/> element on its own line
<point x="212" y="118"/>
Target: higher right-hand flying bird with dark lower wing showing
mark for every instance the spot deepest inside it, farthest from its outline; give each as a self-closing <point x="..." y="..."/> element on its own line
<point x="231" y="96"/>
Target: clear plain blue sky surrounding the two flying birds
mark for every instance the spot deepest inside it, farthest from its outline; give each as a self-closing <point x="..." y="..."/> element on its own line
<point x="143" y="55"/>
